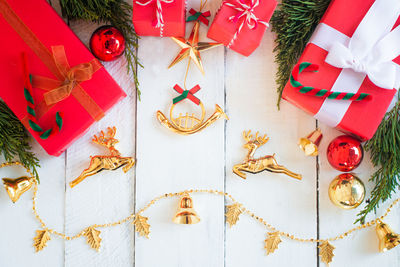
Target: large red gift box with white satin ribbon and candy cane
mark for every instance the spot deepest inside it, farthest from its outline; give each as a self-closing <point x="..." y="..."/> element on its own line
<point x="355" y="50"/>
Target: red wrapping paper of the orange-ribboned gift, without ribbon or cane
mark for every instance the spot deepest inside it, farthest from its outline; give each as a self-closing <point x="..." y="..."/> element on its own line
<point x="51" y="31"/>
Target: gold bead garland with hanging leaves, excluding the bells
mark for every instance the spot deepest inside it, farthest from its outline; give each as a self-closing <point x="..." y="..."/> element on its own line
<point x="233" y="212"/>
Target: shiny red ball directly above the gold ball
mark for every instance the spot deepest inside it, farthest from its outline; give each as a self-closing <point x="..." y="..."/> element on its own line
<point x="345" y="153"/>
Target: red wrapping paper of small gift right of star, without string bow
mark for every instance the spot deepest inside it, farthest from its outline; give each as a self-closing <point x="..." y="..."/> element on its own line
<point x="222" y="30"/>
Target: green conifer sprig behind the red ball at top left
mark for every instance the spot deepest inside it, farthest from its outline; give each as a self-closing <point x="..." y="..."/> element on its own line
<point x="117" y="13"/>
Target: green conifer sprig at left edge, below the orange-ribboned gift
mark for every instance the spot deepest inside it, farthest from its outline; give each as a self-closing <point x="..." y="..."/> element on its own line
<point x="14" y="140"/>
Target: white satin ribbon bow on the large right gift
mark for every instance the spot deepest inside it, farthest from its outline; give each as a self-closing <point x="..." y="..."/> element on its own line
<point x="372" y="47"/>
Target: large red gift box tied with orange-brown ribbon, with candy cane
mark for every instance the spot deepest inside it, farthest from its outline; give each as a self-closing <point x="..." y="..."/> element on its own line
<point x="66" y="79"/>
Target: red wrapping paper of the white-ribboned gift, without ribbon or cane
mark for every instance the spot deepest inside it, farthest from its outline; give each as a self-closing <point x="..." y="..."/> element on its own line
<point x="362" y="118"/>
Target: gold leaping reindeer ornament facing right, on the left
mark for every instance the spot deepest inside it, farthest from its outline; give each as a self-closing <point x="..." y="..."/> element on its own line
<point x="101" y="163"/>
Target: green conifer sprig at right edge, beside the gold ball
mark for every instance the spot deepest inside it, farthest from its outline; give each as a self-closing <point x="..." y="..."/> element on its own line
<point x="384" y="149"/>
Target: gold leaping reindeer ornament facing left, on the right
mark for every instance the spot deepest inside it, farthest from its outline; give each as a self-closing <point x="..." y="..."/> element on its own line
<point x="253" y="165"/>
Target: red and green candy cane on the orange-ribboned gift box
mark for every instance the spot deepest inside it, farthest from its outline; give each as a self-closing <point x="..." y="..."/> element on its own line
<point x="44" y="134"/>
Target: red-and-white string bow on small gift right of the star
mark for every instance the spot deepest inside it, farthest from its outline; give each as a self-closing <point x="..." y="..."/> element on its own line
<point x="245" y="12"/>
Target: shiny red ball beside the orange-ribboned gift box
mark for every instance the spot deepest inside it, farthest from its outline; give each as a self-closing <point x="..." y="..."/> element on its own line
<point x="107" y="43"/>
